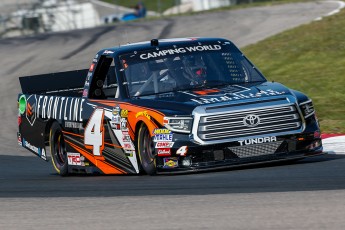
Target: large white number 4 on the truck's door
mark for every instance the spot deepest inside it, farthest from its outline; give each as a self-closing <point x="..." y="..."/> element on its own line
<point x="94" y="132"/>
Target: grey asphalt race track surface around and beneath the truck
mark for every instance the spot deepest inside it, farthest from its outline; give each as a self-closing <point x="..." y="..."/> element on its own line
<point x="308" y="194"/>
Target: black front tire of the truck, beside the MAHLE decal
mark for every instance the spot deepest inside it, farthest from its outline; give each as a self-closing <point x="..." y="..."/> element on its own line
<point x="146" y="150"/>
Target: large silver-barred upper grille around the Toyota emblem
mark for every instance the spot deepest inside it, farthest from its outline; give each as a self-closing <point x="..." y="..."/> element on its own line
<point x="229" y="125"/>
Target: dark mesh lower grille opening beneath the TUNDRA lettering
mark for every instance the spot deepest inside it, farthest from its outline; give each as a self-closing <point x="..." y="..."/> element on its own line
<point x="256" y="150"/>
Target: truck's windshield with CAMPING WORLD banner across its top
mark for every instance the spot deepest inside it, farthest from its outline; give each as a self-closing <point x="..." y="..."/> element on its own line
<point x="162" y="70"/>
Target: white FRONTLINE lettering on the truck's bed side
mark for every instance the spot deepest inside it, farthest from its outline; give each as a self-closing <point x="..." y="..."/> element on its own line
<point x="66" y="108"/>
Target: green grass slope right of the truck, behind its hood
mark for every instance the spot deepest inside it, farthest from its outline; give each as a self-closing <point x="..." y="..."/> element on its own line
<point x="310" y="59"/>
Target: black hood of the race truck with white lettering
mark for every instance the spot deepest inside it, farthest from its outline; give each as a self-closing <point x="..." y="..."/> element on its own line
<point x="184" y="102"/>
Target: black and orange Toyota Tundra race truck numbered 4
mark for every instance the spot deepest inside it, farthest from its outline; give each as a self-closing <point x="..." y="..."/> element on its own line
<point x="164" y="106"/>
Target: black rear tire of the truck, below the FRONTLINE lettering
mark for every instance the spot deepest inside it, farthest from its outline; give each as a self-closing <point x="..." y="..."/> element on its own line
<point x="58" y="150"/>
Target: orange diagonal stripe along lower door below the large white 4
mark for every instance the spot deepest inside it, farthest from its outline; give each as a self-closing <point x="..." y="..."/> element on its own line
<point x="105" y="167"/>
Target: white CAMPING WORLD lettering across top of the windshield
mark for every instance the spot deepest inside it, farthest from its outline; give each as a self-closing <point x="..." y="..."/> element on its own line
<point x="190" y="49"/>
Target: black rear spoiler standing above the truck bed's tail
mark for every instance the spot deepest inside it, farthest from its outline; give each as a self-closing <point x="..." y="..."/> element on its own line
<point x="54" y="82"/>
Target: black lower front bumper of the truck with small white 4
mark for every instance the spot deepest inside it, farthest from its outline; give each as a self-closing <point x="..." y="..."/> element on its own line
<point x="227" y="155"/>
